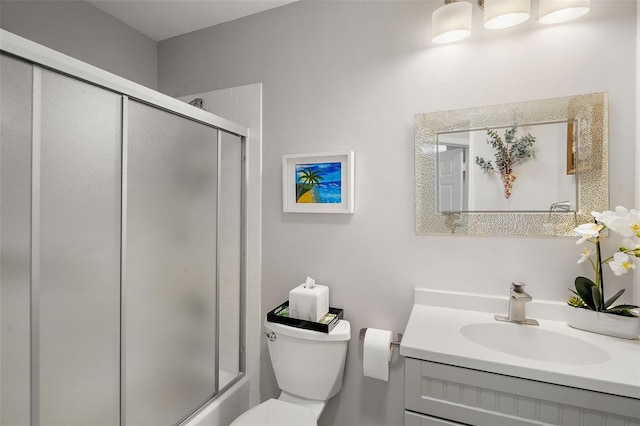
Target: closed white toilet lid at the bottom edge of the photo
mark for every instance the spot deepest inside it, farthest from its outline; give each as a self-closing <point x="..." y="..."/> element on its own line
<point x="276" y="412"/>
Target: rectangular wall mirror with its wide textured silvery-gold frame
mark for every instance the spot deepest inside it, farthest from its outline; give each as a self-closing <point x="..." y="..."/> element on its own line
<point x="533" y="168"/>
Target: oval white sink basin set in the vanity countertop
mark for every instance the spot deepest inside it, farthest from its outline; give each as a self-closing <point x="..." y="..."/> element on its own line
<point x="534" y="343"/>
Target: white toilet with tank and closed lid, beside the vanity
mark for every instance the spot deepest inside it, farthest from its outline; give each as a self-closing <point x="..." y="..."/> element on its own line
<point x="309" y="366"/>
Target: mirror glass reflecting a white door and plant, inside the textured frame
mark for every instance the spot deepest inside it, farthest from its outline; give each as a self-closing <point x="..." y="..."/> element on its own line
<point x="538" y="181"/>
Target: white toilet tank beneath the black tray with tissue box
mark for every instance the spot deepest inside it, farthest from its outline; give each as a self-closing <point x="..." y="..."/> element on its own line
<point x="309" y="364"/>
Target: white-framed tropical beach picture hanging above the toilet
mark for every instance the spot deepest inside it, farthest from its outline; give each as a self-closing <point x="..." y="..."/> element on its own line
<point x="318" y="183"/>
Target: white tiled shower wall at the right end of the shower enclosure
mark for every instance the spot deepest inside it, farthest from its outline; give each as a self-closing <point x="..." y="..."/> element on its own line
<point x="242" y="105"/>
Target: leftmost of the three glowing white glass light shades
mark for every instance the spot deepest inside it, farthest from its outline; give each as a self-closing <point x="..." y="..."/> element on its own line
<point x="451" y="22"/>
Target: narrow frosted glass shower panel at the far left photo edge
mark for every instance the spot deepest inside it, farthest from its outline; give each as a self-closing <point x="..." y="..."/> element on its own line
<point x="15" y="238"/>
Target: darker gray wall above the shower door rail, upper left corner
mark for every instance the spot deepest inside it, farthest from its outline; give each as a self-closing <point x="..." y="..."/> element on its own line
<point x="80" y="30"/>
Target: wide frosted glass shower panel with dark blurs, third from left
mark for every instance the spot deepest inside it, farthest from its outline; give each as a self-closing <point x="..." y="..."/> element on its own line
<point x="169" y="279"/>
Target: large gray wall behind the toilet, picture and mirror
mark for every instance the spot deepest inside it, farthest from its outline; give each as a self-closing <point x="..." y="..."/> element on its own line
<point x="351" y="75"/>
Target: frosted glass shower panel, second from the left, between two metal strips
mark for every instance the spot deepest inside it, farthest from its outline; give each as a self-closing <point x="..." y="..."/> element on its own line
<point x="79" y="253"/>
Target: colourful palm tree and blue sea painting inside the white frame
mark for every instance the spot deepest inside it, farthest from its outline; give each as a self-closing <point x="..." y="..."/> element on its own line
<point x="319" y="183"/>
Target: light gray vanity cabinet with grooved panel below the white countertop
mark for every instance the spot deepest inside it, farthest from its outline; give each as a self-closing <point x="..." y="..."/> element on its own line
<point x="441" y="394"/>
